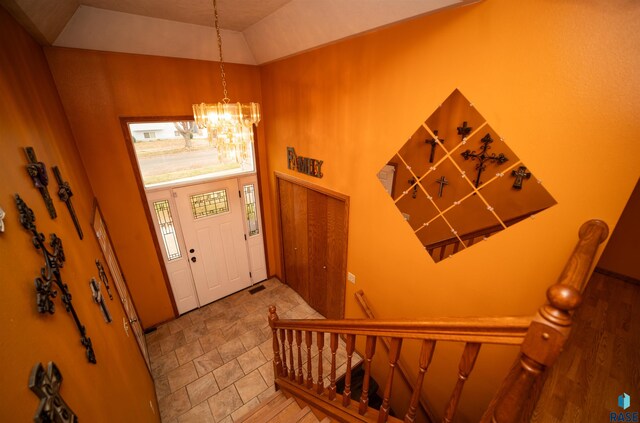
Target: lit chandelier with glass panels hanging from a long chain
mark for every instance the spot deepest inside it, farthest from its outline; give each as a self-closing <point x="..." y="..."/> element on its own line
<point x="232" y="123"/>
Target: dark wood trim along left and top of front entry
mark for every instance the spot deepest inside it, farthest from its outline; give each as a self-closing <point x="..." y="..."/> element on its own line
<point x="124" y="121"/>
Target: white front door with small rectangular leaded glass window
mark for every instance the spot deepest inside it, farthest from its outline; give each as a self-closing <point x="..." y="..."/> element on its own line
<point x="212" y="223"/>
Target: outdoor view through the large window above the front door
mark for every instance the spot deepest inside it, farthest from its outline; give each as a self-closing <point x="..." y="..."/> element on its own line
<point x="176" y="152"/>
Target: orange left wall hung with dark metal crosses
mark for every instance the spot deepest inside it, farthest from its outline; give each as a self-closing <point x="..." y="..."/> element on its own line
<point x="118" y="388"/>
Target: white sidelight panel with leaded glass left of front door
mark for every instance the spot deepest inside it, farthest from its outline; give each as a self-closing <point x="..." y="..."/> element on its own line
<point x="174" y="253"/>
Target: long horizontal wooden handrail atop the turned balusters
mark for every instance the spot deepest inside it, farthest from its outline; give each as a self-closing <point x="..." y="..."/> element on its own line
<point x="492" y="330"/>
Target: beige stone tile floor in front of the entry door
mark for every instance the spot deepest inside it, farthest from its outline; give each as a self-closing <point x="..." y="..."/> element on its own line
<point x="214" y="363"/>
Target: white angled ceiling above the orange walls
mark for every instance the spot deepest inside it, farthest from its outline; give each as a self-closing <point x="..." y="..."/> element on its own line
<point x="254" y="31"/>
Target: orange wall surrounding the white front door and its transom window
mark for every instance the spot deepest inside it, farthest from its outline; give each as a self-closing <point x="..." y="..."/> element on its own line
<point x="98" y="88"/>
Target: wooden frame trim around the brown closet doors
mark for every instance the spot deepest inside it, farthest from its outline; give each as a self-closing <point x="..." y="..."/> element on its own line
<point x="322" y="190"/>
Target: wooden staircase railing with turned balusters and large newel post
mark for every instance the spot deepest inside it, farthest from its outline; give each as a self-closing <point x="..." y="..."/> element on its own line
<point x="540" y="343"/>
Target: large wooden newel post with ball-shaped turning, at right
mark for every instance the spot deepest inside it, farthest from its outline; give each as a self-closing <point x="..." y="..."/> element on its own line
<point x="551" y="326"/>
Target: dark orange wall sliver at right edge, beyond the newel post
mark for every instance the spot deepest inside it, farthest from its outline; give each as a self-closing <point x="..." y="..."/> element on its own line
<point x="623" y="249"/>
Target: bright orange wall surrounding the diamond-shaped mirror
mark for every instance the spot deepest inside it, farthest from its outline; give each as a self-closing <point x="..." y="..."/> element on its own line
<point x="557" y="80"/>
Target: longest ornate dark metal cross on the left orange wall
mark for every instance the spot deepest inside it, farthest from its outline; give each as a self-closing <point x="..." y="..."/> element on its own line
<point x="50" y="274"/>
